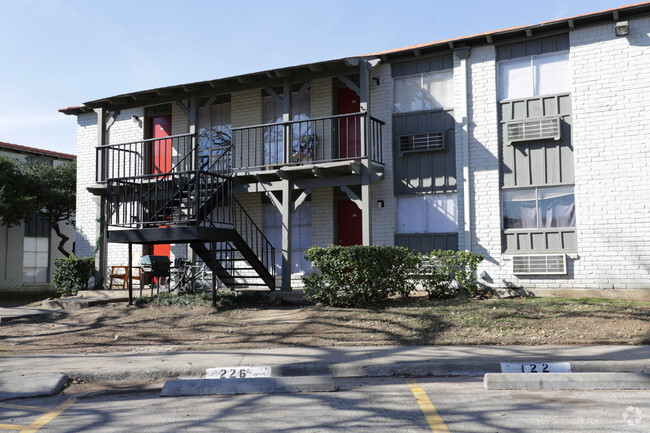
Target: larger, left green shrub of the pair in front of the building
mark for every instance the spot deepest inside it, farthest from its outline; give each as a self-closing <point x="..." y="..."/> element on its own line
<point x="359" y="276"/>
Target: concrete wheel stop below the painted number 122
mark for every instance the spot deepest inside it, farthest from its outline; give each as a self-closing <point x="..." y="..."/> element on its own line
<point x="568" y="381"/>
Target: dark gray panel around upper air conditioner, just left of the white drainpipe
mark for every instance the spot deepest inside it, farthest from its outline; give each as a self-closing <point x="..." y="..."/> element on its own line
<point x="424" y="171"/>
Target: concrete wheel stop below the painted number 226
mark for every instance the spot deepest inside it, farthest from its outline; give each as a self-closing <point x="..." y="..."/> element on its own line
<point x="260" y="385"/>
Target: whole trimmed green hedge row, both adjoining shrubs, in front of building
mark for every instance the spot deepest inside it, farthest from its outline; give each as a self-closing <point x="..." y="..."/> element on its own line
<point x="363" y="276"/>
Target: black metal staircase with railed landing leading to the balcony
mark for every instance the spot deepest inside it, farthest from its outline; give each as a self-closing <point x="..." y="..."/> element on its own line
<point x="190" y="203"/>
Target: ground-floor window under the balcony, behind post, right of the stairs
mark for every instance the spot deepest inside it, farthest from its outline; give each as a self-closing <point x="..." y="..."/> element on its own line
<point x="300" y="236"/>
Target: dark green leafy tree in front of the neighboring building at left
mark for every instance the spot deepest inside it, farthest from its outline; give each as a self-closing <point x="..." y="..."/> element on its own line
<point x="38" y="188"/>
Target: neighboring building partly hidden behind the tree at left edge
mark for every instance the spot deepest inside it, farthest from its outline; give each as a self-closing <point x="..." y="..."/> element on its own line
<point x="27" y="251"/>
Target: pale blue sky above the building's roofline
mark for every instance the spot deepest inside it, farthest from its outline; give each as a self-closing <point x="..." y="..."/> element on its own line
<point x="59" y="53"/>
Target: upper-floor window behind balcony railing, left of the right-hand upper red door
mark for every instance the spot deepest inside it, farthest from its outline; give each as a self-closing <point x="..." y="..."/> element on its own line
<point x="273" y="146"/>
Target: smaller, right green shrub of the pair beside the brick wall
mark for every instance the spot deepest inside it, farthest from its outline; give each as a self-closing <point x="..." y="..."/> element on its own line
<point x="444" y="267"/>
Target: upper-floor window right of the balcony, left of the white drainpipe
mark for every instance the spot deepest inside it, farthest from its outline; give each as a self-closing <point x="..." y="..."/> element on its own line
<point x="428" y="91"/>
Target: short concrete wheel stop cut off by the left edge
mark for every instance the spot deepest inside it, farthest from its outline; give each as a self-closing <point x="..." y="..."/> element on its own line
<point x="34" y="385"/>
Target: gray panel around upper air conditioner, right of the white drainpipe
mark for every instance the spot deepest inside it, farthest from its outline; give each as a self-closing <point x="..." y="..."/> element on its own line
<point x="537" y="162"/>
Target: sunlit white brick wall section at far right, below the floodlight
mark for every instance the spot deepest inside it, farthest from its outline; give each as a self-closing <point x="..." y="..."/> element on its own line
<point x="611" y="99"/>
